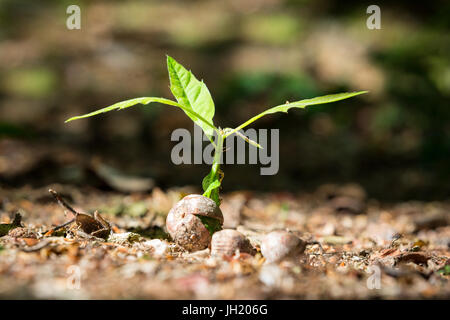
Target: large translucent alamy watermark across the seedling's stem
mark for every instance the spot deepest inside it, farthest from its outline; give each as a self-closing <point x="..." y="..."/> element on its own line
<point x="236" y="149"/>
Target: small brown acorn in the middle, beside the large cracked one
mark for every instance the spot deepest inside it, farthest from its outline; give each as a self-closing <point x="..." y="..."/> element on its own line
<point x="227" y="242"/>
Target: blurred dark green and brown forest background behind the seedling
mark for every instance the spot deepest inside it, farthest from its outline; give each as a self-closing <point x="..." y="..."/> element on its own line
<point x="253" y="54"/>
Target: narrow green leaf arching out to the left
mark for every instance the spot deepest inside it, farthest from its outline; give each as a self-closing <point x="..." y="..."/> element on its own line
<point x="144" y="100"/>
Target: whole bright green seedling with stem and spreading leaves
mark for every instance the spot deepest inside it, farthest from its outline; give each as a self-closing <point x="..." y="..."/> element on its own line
<point x="194" y="98"/>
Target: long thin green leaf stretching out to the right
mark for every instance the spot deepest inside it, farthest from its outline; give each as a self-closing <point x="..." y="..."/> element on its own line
<point x="299" y="104"/>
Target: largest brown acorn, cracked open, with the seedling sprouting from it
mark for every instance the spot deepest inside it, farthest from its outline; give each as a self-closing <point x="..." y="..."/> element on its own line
<point x="193" y="220"/>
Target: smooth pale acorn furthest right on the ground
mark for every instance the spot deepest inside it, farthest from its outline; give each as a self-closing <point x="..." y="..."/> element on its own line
<point x="281" y="245"/>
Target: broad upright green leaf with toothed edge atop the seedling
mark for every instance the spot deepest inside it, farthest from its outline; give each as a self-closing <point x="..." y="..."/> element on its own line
<point x="192" y="94"/>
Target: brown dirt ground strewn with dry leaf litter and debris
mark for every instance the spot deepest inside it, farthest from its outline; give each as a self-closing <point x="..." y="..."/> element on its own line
<point x="359" y="248"/>
